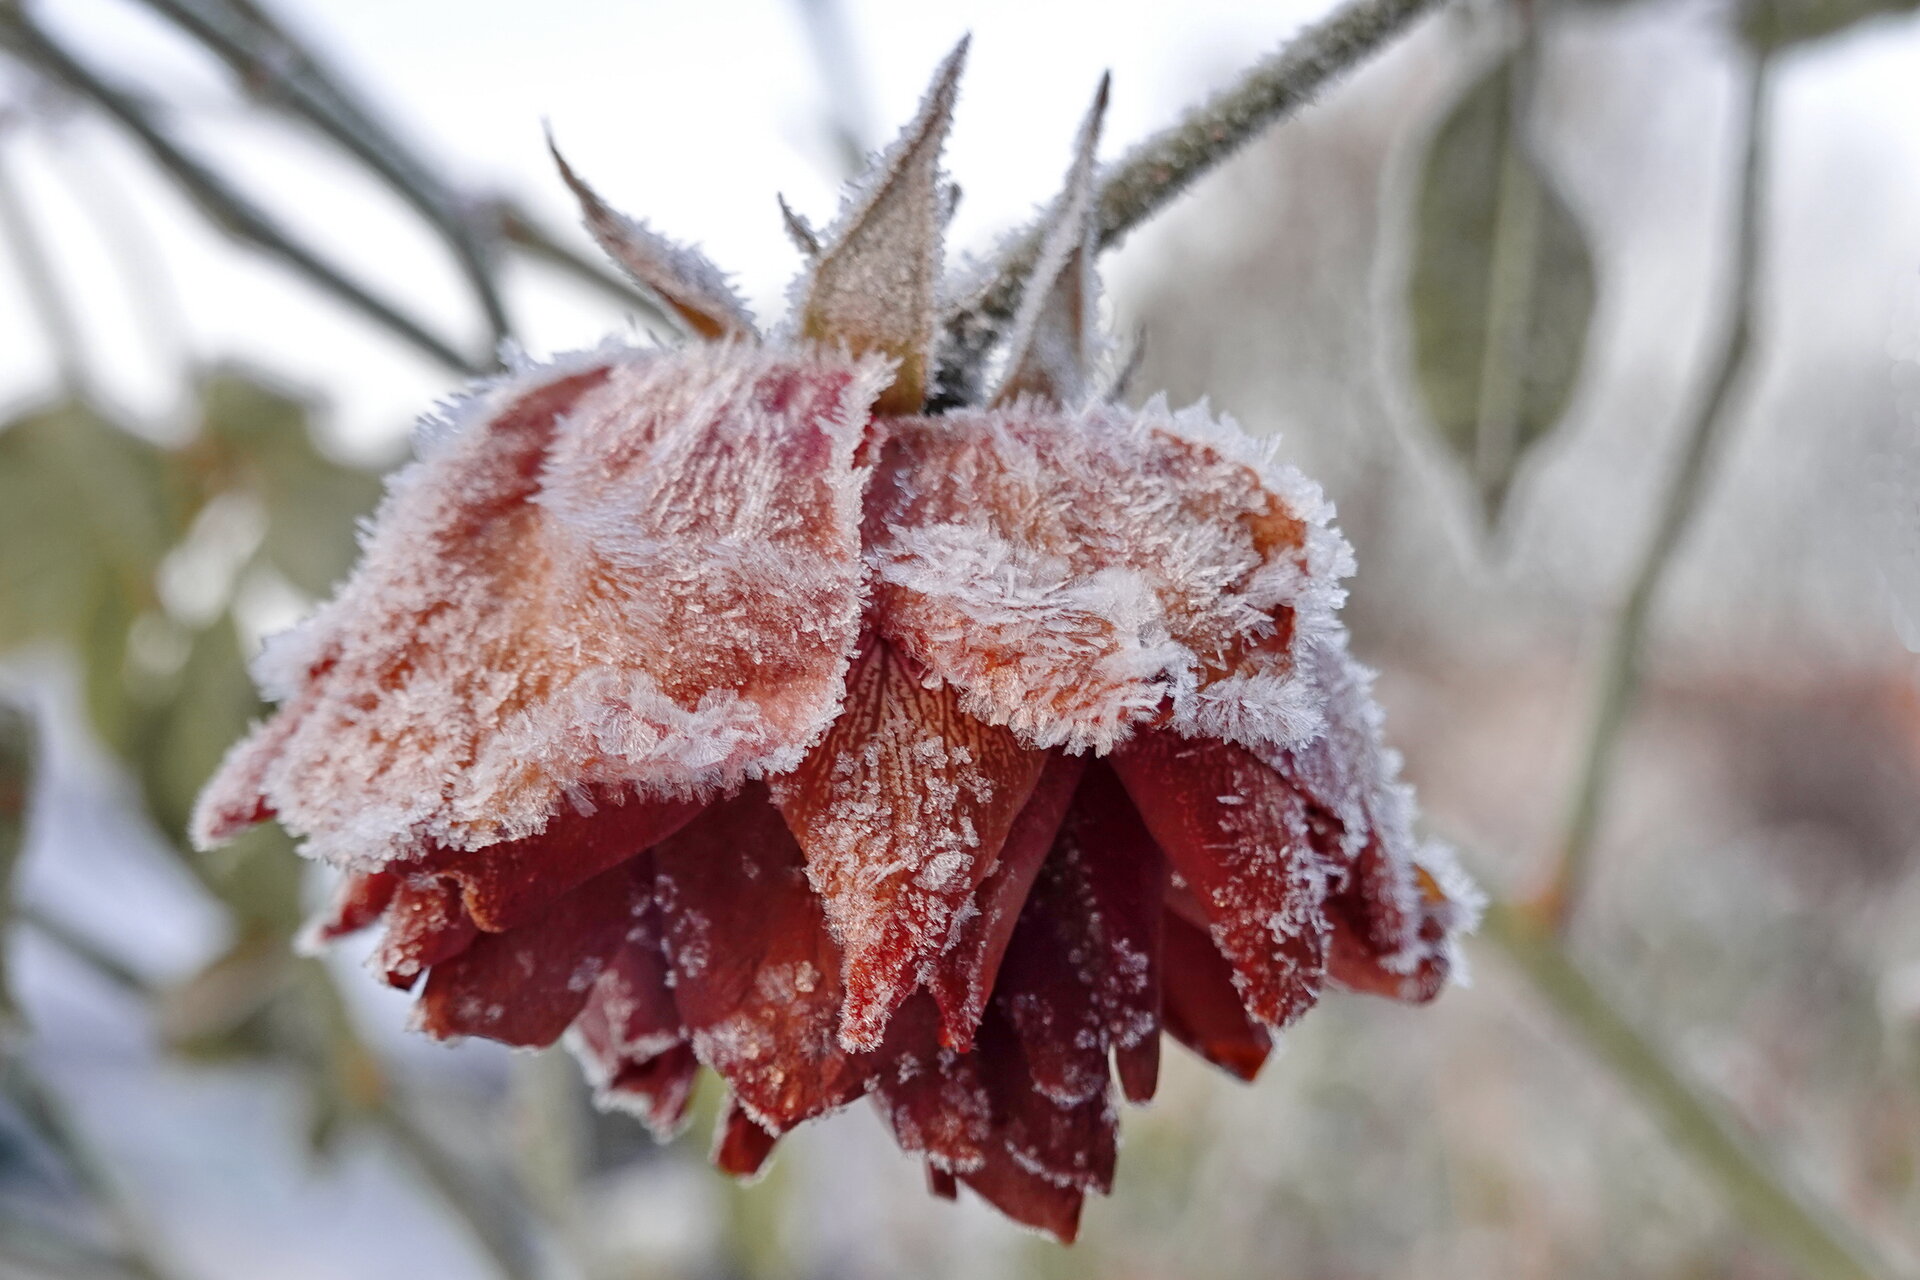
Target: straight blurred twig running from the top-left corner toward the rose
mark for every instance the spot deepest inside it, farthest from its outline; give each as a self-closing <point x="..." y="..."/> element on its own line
<point x="216" y="199"/>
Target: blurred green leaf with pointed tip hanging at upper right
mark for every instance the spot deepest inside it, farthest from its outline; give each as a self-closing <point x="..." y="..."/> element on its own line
<point x="1502" y="287"/>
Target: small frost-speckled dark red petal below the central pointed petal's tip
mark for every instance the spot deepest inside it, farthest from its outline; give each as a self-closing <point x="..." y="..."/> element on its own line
<point x="932" y="1099"/>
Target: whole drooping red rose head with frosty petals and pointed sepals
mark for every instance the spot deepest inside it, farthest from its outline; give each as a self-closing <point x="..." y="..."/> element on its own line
<point x="723" y="705"/>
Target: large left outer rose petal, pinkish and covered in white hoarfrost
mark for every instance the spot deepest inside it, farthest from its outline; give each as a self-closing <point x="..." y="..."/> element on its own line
<point x="635" y="579"/>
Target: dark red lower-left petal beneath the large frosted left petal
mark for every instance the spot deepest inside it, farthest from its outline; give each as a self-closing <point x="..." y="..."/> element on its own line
<point x="527" y="985"/>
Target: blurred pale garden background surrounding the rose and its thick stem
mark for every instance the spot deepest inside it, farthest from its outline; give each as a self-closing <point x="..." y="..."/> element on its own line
<point x="1485" y="289"/>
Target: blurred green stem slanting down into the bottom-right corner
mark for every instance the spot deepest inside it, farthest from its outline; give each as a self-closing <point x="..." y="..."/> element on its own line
<point x="1765" y="1198"/>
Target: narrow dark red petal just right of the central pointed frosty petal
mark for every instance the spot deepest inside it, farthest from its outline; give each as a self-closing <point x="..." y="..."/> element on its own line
<point x="965" y="974"/>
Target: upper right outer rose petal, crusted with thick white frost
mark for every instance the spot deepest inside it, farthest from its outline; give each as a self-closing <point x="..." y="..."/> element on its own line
<point x="1080" y="575"/>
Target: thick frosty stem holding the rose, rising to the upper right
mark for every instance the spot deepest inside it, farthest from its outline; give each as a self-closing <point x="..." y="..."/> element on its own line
<point x="1164" y="166"/>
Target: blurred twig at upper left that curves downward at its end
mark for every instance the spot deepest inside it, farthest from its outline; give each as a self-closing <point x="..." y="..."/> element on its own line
<point x="283" y="72"/>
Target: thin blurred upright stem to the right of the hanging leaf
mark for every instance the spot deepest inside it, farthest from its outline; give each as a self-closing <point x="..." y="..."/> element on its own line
<point x="1620" y="675"/>
